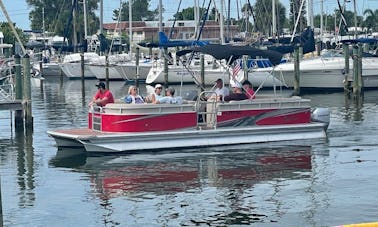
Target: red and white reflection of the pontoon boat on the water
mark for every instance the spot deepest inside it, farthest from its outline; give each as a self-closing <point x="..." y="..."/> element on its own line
<point x="219" y="185"/>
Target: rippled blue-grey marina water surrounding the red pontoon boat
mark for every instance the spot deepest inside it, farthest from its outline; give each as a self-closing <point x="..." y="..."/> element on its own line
<point x="302" y="183"/>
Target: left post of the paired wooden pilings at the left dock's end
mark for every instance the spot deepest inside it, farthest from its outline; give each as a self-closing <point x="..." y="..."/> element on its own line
<point x="18" y="117"/>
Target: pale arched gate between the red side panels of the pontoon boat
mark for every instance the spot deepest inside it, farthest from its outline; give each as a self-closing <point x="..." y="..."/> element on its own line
<point x="206" y="108"/>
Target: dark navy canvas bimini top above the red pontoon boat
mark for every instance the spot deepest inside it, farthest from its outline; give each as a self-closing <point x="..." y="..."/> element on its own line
<point x="231" y="53"/>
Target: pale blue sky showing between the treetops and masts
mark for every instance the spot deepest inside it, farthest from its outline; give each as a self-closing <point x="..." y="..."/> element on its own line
<point x="18" y="10"/>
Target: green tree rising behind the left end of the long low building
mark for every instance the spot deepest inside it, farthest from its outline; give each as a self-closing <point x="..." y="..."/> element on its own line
<point x="140" y="11"/>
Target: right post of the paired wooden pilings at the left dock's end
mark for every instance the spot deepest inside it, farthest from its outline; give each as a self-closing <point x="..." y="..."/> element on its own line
<point x="27" y="94"/>
